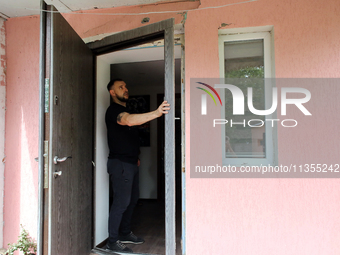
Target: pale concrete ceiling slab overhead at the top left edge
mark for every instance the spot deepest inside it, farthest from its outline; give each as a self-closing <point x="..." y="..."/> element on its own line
<point x="17" y="8"/>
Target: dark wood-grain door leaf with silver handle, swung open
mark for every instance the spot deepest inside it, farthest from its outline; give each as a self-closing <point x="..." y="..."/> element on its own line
<point x="71" y="139"/>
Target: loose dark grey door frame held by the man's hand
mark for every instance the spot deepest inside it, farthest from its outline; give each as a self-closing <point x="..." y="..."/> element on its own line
<point x="126" y="39"/>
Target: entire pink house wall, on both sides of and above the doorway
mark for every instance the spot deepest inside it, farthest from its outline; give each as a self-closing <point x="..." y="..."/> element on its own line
<point x="224" y="216"/>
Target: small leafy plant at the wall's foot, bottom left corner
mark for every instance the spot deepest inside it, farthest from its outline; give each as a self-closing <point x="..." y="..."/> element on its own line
<point x="25" y="244"/>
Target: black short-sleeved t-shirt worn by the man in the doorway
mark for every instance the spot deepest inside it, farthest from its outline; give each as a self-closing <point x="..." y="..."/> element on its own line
<point x="123" y="140"/>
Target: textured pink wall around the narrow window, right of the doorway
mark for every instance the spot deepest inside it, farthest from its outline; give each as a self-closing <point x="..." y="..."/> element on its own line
<point x="266" y="216"/>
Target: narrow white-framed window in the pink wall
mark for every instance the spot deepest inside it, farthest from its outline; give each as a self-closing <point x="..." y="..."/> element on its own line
<point x="245" y="61"/>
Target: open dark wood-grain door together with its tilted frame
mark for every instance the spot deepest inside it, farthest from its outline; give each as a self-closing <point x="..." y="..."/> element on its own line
<point x="69" y="130"/>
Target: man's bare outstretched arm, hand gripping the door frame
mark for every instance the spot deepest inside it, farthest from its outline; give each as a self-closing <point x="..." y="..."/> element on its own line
<point x="127" y="119"/>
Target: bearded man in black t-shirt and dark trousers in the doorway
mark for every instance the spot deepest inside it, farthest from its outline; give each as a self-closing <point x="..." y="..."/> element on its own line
<point x="123" y="163"/>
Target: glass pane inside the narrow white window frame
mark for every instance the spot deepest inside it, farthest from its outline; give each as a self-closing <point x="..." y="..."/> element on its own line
<point x="244" y="67"/>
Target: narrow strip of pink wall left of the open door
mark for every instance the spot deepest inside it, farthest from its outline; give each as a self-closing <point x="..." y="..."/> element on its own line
<point x="21" y="147"/>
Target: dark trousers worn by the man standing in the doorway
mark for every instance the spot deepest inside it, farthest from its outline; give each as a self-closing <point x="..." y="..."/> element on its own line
<point x="125" y="185"/>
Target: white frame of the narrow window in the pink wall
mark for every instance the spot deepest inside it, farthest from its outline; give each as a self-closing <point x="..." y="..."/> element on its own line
<point x="242" y="34"/>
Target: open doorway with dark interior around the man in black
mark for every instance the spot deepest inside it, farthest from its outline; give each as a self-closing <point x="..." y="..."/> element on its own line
<point x="142" y="68"/>
